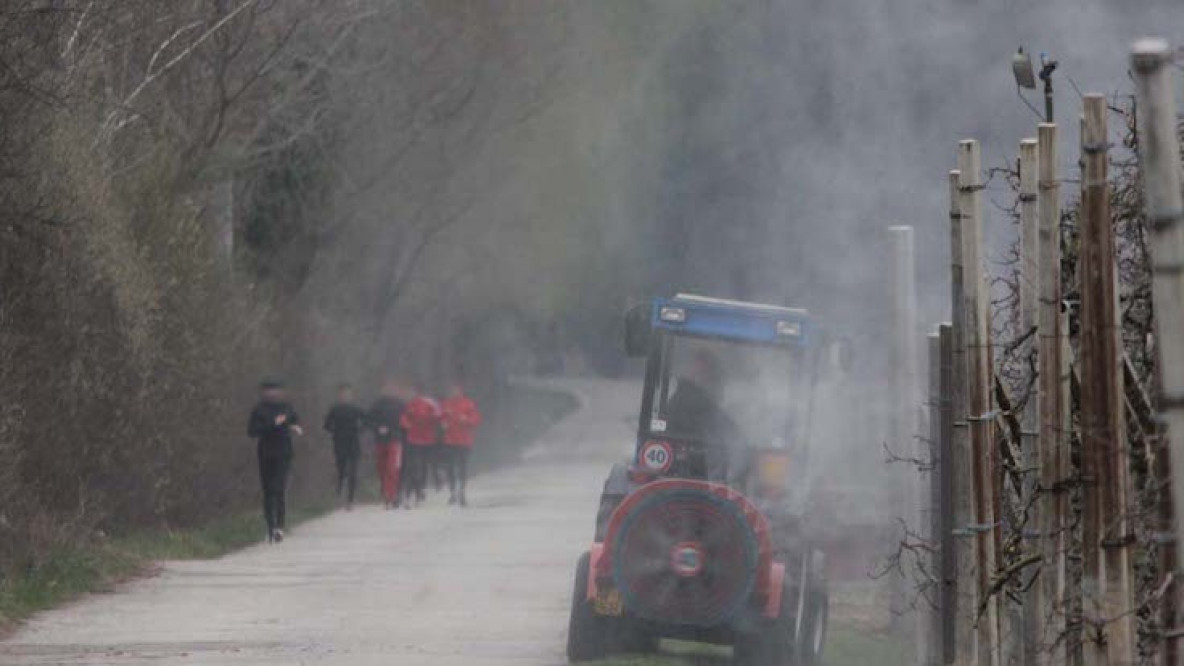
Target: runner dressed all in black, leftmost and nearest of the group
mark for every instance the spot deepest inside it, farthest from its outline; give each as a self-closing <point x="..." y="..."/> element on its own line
<point x="273" y="424"/>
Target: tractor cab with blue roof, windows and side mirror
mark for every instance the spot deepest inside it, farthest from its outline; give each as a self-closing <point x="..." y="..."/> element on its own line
<point x="760" y="364"/>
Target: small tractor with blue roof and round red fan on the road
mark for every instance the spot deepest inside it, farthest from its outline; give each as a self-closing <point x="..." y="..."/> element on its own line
<point x="703" y="535"/>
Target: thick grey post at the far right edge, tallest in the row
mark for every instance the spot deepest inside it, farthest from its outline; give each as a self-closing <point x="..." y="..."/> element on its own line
<point x="1161" y="161"/>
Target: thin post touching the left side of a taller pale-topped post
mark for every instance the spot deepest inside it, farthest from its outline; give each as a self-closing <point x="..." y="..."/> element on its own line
<point x="962" y="478"/>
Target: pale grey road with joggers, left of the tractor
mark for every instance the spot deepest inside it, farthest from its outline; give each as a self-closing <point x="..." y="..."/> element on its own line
<point x="488" y="585"/>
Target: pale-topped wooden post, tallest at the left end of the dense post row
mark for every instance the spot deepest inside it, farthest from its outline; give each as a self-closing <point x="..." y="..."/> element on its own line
<point x="980" y="382"/>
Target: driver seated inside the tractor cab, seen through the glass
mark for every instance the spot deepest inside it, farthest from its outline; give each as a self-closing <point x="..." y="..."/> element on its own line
<point x="696" y="412"/>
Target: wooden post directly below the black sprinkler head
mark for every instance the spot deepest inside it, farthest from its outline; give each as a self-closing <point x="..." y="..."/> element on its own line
<point x="1054" y="458"/>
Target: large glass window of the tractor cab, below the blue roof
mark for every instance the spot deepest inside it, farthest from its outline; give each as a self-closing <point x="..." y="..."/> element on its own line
<point x="729" y="394"/>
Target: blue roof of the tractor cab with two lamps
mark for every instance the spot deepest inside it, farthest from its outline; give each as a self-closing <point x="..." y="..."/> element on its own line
<point x="724" y="319"/>
